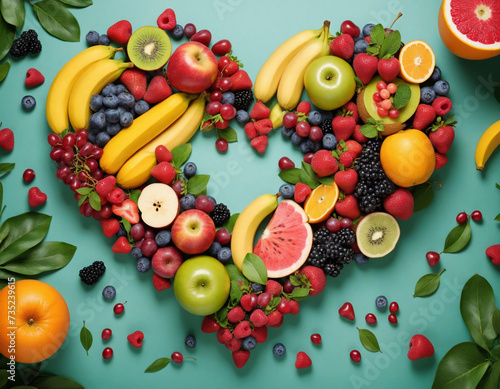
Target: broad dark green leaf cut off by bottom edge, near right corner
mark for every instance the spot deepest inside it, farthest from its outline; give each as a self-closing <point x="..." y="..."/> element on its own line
<point x="461" y="368"/>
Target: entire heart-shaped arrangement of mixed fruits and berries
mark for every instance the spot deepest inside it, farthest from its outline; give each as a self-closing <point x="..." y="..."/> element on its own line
<point x="375" y="129"/>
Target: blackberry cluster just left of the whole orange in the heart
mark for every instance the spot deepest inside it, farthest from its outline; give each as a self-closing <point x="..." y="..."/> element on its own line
<point x="373" y="185"/>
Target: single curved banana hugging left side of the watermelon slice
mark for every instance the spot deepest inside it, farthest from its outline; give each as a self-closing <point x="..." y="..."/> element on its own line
<point x="246" y="226"/>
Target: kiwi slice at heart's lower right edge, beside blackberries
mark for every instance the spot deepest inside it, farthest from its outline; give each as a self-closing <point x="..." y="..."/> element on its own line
<point x="377" y="234"/>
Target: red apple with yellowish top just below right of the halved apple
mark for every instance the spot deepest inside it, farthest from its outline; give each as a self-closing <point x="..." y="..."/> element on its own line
<point x="193" y="231"/>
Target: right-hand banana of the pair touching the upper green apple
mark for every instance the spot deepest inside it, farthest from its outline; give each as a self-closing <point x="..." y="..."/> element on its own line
<point x="291" y="84"/>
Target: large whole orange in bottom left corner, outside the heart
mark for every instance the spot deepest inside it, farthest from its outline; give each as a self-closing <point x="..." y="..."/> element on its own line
<point x="41" y="317"/>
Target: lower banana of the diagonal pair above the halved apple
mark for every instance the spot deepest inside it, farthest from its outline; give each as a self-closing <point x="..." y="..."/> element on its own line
<point x="137" y="170"/>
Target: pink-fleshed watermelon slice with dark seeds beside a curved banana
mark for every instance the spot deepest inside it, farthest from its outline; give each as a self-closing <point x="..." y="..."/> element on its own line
<point x="286" y="242"/>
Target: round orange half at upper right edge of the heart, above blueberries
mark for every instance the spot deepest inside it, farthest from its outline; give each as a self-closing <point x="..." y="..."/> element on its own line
<point x="417" y="61"/>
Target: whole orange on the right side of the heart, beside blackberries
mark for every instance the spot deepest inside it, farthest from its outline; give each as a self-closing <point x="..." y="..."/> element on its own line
<point x="407" y="158"/>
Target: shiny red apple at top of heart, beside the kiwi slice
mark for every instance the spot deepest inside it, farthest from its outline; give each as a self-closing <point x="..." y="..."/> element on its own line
<point x="192" y="68"/>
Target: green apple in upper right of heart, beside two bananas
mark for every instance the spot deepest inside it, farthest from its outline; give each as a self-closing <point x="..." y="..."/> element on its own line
<point x="329" y="82"/>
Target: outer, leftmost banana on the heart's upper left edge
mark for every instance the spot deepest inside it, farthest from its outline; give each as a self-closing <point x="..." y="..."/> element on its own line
<point x="56" y="108"/>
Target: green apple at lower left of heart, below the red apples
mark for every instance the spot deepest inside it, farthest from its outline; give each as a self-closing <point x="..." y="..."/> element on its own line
<point x="201" y="285"/>
